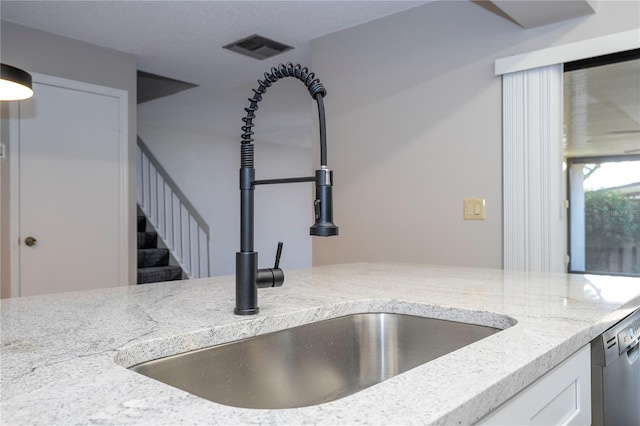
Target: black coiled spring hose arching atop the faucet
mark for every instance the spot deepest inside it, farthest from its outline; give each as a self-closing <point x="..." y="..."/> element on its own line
<point x="315" y="88"/>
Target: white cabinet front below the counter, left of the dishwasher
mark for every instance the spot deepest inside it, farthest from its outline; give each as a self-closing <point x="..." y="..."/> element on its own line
<point x="560" y="397"/>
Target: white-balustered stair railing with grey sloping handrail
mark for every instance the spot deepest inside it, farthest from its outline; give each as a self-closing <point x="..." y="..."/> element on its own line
<point x="169" y="211"/>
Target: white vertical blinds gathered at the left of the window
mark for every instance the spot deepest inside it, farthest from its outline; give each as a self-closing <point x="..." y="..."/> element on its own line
<point x="533" y="184"/>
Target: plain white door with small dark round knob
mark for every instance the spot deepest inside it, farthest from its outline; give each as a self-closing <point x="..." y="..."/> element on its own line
<point x="70" y="191"/>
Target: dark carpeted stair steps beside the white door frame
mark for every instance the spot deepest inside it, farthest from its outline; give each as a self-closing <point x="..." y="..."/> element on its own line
<point x="153" y="261"/>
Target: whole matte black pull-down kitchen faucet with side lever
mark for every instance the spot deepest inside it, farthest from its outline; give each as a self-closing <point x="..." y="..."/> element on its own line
<point x="248" y="277"/>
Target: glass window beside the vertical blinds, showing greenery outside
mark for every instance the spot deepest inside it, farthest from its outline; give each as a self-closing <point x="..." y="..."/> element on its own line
<point x="602" y="154"/>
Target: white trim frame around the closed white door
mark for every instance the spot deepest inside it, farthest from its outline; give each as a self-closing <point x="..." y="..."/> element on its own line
<point x="14" y="132"/>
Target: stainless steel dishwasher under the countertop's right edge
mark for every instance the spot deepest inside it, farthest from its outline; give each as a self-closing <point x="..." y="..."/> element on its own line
<point x="615" y="374"/>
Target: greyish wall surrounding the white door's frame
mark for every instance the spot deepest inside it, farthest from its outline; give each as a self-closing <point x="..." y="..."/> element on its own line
<point x="45" y="53"/>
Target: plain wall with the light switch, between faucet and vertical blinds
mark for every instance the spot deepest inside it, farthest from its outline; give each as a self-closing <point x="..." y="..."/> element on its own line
<point x="414" y="126"/>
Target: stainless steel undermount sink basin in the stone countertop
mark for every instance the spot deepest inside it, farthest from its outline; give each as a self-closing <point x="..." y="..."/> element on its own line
<point x="313" y="363"/>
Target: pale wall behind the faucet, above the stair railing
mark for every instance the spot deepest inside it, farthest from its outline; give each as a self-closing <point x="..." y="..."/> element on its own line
<point x="200" y="148"/>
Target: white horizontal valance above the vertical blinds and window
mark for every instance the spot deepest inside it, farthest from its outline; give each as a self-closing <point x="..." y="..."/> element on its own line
<point x="590" y="48"/>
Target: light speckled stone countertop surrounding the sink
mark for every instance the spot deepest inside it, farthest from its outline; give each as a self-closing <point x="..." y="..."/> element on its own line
<point x="63" y="355"/>
